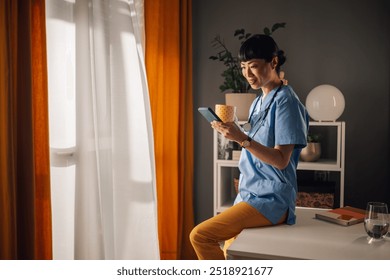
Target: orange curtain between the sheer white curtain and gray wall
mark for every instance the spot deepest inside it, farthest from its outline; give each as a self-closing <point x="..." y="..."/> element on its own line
<point x="169" y="69"/>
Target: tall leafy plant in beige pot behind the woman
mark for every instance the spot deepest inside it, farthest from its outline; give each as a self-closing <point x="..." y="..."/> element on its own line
<point x="233" y="81"/>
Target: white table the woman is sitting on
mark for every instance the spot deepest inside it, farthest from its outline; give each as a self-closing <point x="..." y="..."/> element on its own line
<point x="309" y="238"/>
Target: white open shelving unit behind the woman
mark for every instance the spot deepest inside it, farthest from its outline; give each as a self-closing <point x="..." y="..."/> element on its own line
<point x="225" y="168"/>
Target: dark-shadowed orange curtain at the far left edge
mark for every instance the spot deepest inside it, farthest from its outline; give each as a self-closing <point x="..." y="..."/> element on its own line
<point x="25" y="219"/>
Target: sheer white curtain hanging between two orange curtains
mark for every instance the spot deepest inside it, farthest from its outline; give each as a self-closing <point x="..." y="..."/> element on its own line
<point x="103" y="177"/>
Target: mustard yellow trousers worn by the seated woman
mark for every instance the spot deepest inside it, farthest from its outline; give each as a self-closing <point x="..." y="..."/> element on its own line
<point x="207" y="237"/>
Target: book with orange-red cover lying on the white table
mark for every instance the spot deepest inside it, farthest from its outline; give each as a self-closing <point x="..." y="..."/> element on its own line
<point x="345" y="216"/>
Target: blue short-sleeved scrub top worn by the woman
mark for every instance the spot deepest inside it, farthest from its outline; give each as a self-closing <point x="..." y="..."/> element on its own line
<point x="270" y="190"/>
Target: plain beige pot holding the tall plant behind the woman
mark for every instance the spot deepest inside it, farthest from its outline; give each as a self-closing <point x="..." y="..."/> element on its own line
<point x="242" y="101"/>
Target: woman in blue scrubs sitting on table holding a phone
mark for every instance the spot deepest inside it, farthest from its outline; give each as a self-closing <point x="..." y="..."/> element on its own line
<point x="272" y="139"/>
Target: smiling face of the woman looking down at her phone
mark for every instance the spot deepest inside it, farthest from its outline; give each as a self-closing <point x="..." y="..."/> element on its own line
<point x="258" y="72"/>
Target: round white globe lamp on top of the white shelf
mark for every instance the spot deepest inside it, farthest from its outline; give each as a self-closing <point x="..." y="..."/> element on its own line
<point x="325" y="103"/>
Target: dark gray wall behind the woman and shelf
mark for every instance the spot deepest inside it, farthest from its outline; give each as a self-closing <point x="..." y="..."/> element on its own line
<point x="340" y="42"/>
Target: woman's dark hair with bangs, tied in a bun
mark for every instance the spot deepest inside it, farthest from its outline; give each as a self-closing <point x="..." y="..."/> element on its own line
<point x="261" y="46"/>
